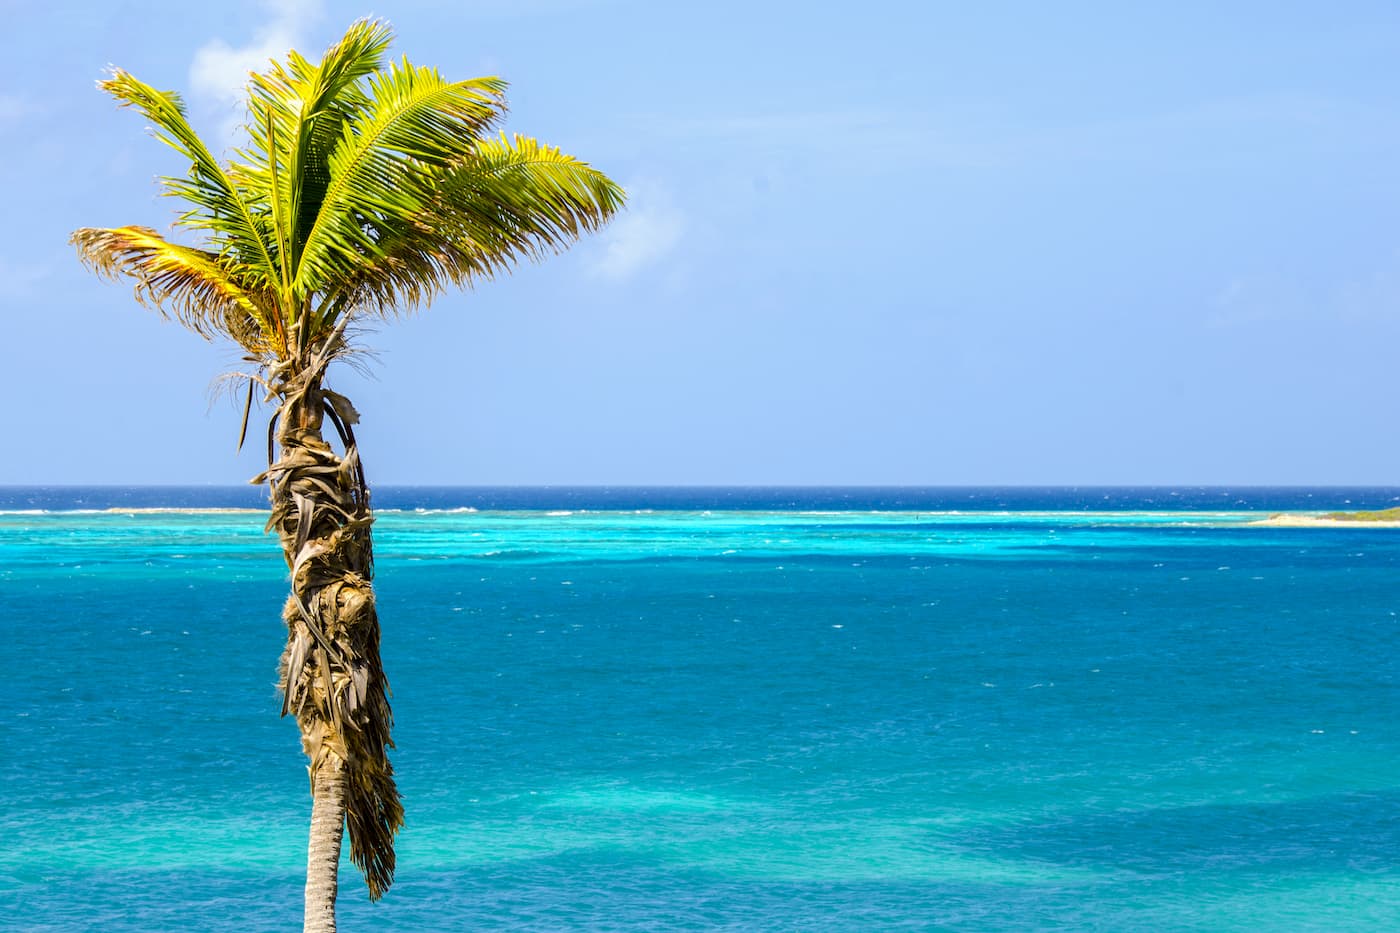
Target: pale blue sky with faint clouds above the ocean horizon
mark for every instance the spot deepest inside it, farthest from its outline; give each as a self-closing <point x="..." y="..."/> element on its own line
<point x="866" y="244"/>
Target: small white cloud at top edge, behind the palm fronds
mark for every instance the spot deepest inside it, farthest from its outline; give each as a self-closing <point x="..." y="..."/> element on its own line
<point x="219" y="72"/>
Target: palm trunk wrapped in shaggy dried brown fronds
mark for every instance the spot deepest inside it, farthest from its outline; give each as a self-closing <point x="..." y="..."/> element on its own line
<point x="331" y="673"/>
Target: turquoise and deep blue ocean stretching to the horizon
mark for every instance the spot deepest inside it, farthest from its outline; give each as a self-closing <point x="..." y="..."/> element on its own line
<point x="723" y="710"/>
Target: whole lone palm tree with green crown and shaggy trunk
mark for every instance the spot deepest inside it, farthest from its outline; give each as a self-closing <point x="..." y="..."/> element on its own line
<point x="365" y="191"/>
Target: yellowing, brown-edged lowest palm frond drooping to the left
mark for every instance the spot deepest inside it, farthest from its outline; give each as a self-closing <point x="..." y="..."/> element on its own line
<point x="198" y="288"/>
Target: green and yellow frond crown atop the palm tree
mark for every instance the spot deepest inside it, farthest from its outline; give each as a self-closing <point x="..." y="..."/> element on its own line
<point x="365" y="188"/>
